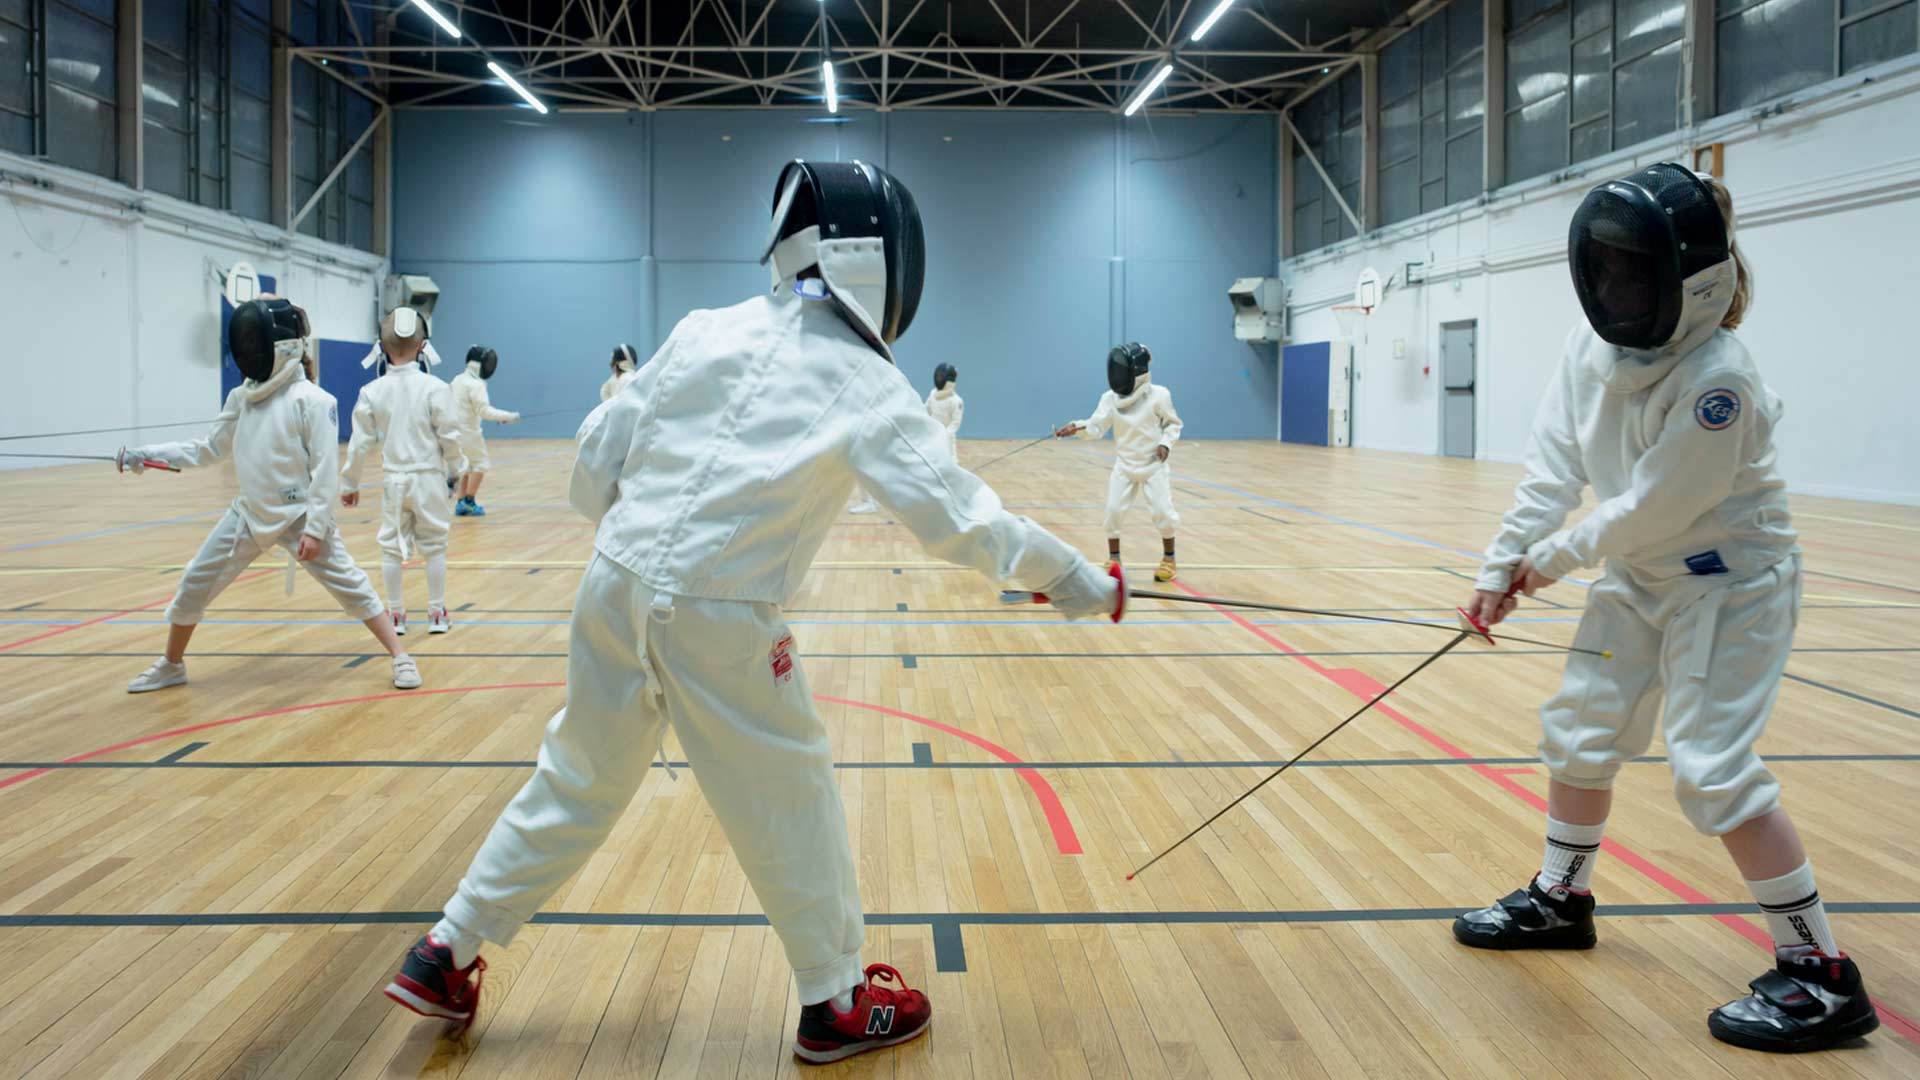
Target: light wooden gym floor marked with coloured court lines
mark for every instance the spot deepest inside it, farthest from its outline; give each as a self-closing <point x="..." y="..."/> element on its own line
<point x="216" y="881"/>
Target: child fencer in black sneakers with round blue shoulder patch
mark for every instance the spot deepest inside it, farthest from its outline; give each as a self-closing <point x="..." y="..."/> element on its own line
<point x="1664" y="414"/>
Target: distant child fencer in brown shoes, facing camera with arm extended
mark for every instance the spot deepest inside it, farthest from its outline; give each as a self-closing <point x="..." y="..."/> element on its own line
<point x="1145" y="431"/>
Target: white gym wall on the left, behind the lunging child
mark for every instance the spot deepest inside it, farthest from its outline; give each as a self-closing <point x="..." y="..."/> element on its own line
<point x="110" y="305"/>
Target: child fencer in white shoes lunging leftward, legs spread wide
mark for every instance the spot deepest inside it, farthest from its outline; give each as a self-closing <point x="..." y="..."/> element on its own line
<point x="283" y="435"/>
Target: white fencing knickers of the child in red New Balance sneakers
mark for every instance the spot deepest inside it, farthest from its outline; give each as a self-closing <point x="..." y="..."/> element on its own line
<point x="727" y="677"/>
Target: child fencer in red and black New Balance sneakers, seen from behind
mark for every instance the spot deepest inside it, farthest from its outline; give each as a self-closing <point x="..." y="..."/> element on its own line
<point x="713" y="481"/>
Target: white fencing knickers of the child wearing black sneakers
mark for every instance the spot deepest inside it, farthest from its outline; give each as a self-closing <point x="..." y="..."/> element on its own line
<point x="1714" y="662"/>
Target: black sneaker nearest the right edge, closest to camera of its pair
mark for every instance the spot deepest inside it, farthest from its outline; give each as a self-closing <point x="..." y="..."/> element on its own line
<point x="1808" y="1002"/>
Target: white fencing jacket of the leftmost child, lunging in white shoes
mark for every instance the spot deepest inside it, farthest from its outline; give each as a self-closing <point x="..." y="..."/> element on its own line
<point x="285" y="441"/>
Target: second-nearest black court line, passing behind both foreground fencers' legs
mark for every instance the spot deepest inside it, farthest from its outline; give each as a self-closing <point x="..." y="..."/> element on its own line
<point x="924" y="760"/>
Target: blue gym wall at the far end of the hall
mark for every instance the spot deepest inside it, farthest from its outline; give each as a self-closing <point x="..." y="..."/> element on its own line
<point x="1049" y="235"/>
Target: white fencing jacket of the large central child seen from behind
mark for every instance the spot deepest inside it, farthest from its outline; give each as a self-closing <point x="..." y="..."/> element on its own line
<point x="719" y="470"/>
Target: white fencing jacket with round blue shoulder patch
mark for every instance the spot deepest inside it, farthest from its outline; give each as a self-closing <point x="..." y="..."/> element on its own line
<point x="1681" y="454"/>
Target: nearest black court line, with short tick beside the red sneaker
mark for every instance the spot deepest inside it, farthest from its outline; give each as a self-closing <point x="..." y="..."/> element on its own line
<point x="949" y="945"/>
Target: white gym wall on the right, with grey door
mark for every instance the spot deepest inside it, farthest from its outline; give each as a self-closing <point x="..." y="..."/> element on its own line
<point x="1829" y="203"/>
